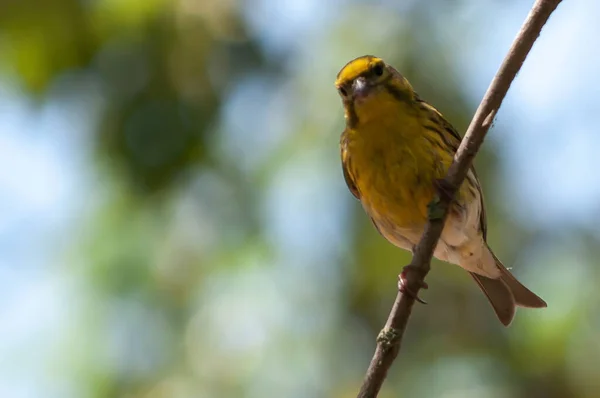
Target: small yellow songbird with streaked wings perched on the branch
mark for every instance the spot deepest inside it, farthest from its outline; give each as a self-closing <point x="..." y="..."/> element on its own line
<point x="395" y="150"/>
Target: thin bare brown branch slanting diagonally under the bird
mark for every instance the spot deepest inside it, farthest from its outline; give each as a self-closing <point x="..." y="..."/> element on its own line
<point x="390" y="338"/>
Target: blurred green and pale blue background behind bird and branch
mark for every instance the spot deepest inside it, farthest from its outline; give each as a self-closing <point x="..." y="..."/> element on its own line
<point x="174" y="220"/>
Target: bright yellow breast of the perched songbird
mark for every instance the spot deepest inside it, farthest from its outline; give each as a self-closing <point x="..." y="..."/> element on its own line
<point x="393" y="165"/>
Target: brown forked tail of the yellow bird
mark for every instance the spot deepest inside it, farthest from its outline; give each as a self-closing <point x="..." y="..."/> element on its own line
<point x="506" y="293"/>
